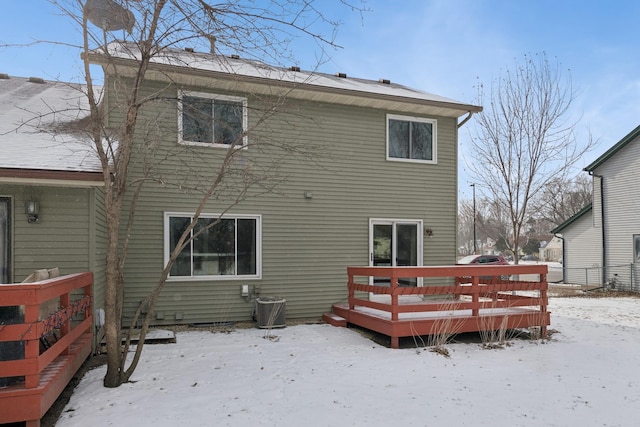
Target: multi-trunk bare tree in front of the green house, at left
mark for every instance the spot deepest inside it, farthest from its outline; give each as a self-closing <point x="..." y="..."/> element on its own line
<point x="128" y="144"/>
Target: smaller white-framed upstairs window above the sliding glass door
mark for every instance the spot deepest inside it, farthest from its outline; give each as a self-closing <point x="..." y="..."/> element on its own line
<point x="411" y="139"/>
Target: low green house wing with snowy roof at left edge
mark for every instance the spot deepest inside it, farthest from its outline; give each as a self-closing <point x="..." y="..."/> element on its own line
<point x="45" y="165"/>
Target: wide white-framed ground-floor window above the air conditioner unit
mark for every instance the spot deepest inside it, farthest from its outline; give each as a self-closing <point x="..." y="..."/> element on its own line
<point x="222" y="248"/>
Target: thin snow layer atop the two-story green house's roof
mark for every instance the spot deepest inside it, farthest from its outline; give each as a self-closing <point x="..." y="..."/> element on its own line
<point x="256" y="69"/>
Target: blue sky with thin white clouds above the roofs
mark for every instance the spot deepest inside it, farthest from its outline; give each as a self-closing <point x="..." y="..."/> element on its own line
<point x="439" y="46"/>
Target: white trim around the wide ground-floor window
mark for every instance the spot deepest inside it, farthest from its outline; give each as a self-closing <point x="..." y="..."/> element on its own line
<point x="167" y="248"/>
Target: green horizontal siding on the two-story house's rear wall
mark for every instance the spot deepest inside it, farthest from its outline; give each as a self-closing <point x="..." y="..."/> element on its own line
<point x="307" y="243"/>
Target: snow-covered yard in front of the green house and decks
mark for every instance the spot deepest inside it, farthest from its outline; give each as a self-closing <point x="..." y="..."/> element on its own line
<point x="588" y="374"/>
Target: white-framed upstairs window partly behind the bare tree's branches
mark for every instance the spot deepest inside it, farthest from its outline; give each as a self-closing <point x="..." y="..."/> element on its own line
<point x="211" y="120"/>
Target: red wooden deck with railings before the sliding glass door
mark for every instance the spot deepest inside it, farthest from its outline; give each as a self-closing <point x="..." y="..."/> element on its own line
<point x="453" y="299"/>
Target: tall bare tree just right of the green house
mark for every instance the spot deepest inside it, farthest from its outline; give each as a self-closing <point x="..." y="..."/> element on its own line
<point x="525" y="138"/>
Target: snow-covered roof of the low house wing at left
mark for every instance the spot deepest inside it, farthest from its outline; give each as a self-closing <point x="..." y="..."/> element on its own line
<point x="36" y="118"/>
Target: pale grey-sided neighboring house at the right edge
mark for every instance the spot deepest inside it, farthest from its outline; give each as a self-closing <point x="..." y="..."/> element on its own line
<point x="607" y="234"/>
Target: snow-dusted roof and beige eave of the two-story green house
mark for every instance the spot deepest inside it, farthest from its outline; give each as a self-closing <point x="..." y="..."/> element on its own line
<point x="308" y="85"/>
